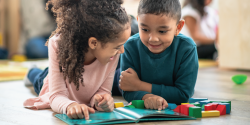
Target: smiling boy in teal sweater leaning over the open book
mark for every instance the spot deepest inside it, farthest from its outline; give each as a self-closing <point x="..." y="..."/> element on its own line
<point x="159" y="64"/>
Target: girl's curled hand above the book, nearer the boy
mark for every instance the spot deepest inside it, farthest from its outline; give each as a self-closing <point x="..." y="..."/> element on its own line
<point x="104" y="102"/>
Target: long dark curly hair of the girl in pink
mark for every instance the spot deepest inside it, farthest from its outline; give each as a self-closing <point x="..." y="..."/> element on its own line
<point x="77" y="21"/>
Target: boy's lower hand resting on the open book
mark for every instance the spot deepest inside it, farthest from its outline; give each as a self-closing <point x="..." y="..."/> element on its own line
<point x="154" y="102"/>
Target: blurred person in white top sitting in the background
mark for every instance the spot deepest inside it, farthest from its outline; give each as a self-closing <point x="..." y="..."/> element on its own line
<point x="201" y="23"/>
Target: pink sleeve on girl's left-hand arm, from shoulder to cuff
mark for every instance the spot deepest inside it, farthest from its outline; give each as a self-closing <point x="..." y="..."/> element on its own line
<point x="59" y="100"/>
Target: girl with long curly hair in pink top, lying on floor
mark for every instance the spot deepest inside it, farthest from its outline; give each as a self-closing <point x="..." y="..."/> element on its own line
<point x="83" y="55"/>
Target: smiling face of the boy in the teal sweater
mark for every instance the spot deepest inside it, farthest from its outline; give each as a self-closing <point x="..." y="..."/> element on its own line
<point x="157" y="31"/>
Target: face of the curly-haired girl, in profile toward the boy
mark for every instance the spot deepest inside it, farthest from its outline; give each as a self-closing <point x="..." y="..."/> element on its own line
<point x="106" y="53"/>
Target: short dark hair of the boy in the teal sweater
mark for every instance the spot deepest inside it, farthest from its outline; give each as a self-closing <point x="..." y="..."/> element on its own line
<point x="171" y="8"/>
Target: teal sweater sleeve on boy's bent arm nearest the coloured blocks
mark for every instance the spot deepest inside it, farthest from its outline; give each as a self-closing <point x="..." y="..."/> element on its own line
<point x="185" y="80"/>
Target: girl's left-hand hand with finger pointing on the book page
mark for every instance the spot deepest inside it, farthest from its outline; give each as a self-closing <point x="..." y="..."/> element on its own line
<point x="79" y="111"/>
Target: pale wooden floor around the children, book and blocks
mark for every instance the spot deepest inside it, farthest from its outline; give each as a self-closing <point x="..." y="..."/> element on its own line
<point x="212" y="83"/>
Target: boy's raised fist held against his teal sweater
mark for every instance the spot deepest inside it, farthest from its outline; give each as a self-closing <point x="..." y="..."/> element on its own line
<point x="129" y="80"/>
